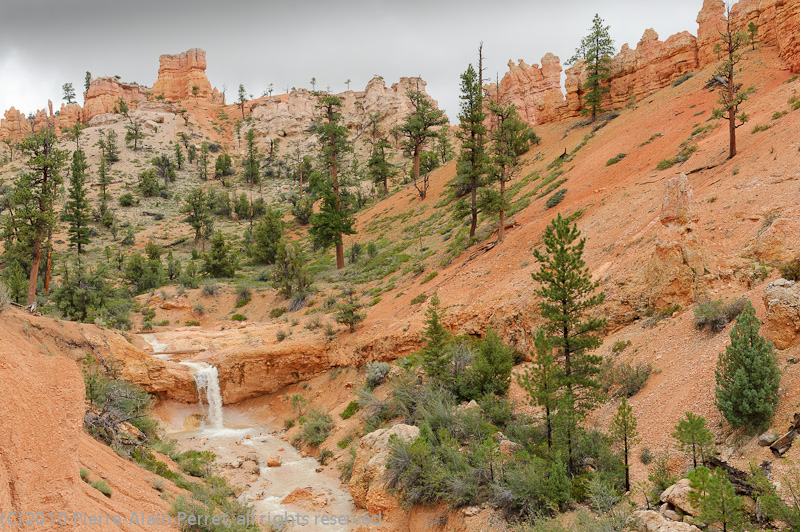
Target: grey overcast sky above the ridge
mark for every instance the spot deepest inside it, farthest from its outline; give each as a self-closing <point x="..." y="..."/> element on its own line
<point x="44" y="43"/>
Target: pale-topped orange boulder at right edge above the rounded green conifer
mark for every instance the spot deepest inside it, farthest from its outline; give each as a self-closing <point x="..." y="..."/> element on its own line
<point x="782" y="301"/>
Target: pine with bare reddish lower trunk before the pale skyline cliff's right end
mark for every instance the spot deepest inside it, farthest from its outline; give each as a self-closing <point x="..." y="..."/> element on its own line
<point x="418" y="129"/>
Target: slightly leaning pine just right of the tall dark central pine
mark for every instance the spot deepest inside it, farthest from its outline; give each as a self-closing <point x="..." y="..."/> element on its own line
<point x="511" y="138"/>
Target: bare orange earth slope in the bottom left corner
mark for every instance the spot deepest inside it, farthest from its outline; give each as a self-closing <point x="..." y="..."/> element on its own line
<point x="42" y="439"/>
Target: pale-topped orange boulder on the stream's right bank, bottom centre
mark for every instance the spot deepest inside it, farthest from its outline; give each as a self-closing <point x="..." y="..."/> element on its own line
<point x="367" y="483"/>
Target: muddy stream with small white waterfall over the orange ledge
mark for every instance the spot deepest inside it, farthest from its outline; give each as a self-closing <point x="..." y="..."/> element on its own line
<point x="235" y="436"/>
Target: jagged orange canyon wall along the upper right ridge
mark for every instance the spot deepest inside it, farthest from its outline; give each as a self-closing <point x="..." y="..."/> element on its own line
<point x="653" y="64"/>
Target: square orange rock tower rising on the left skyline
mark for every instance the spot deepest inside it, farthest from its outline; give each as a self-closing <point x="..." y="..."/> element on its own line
<point x="177" y="74"/>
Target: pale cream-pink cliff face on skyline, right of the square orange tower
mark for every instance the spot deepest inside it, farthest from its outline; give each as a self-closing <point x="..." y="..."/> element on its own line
<point x="292" y="114"/>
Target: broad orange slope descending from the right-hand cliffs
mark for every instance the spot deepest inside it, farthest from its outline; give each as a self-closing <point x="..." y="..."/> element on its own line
<point x="746" y="215"/>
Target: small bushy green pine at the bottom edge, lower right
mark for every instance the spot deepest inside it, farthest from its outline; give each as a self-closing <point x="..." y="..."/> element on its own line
<point x="716" y="499"/>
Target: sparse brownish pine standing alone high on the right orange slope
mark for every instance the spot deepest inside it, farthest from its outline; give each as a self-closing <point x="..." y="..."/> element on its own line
<point x="731" y="94"/>
